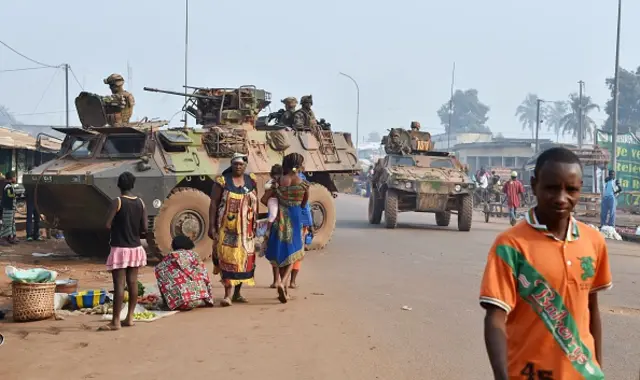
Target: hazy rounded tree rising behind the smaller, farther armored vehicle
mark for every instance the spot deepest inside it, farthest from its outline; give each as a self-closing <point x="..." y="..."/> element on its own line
<point x="468" y="113"/>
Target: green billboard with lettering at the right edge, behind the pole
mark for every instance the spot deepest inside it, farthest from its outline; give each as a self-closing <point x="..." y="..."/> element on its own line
<point x="628" y="165"/>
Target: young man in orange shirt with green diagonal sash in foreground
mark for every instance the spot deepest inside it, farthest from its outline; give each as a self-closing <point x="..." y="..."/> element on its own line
<point x="541" y="281"/>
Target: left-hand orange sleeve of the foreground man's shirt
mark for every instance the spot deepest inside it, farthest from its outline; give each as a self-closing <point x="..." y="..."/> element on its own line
<point x="498" y="287"/>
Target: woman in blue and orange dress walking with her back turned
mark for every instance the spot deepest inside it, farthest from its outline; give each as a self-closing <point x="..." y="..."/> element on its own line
<point x="286" y="243"/>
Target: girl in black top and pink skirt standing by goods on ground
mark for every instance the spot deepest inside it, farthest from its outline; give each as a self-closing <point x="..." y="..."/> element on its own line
<point x="127" y="221"/>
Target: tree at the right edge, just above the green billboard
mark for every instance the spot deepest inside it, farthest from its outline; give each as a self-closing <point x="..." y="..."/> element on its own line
<point x="628" y="102"/>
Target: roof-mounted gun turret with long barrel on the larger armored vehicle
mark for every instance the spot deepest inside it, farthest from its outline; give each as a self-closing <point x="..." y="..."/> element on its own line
<point x="223" y="106"/>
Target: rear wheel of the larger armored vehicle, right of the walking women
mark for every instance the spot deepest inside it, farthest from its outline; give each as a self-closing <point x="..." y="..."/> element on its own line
<point x="323" y="214"/>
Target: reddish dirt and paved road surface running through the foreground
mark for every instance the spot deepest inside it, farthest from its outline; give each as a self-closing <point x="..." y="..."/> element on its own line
<point x="346" y="323"/>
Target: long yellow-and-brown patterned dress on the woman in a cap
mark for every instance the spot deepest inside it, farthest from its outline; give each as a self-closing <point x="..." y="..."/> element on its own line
<point x="234" y="251"/>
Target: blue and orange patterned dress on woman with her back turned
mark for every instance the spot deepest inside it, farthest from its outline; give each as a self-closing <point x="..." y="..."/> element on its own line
<point x="286" y="243"/>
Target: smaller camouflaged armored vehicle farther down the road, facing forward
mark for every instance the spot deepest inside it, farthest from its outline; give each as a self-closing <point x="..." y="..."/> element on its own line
<point x="414" y="177"/>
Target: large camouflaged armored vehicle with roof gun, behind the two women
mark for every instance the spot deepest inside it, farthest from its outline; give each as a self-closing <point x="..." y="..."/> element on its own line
<point x="176" y="167"/>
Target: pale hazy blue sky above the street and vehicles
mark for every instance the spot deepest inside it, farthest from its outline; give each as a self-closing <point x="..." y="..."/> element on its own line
<point x="400" y="52"/>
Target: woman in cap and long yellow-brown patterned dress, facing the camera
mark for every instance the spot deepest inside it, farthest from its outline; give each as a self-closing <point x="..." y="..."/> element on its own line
<point x="232" y="226"/>
